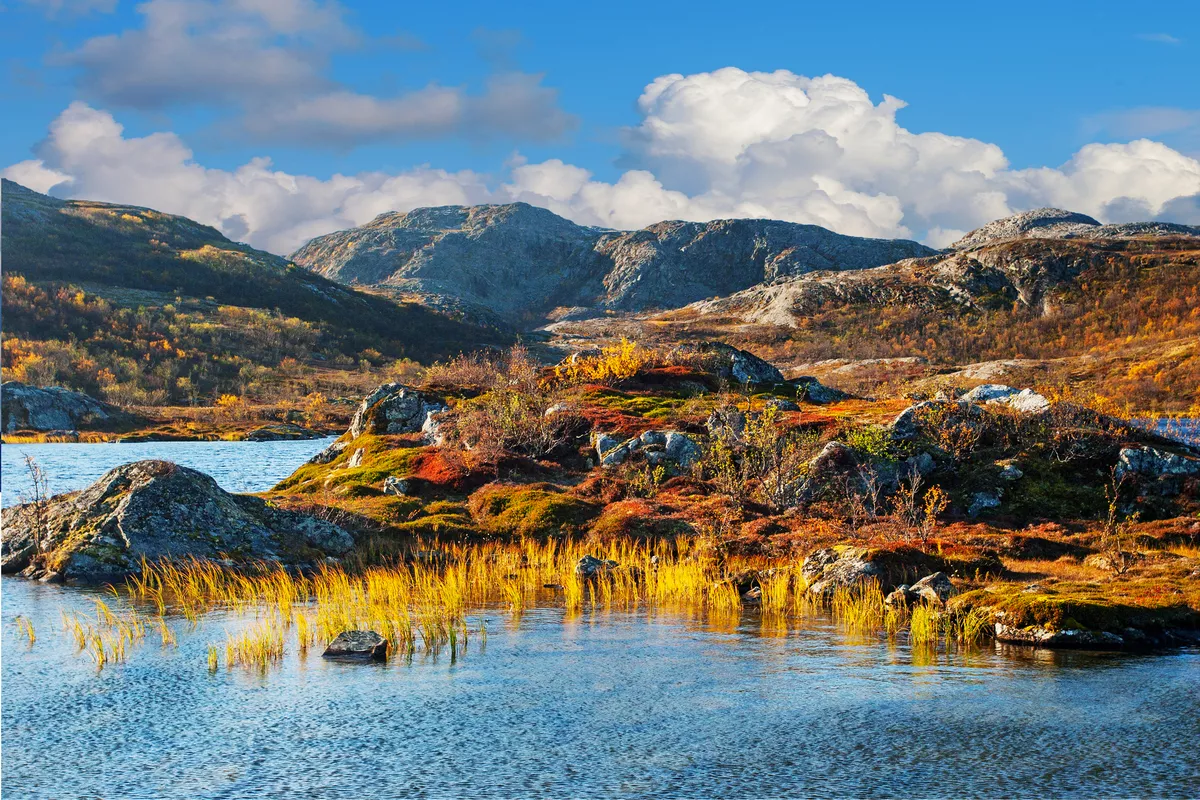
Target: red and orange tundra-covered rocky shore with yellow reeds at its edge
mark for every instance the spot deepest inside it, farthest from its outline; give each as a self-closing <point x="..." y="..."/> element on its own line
<point x="644" y="479"/>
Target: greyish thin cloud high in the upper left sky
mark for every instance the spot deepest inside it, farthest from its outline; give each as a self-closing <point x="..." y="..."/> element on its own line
<point x="269" y="59"/>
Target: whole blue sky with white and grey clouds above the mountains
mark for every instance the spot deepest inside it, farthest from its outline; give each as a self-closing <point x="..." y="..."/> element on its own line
<point x="280" y="121"/>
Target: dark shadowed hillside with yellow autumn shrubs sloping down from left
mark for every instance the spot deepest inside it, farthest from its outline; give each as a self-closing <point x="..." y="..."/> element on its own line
<point x="149" y="308"/>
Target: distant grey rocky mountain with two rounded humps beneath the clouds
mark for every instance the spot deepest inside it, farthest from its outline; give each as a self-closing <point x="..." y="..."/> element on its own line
<point x="523" y="262"/>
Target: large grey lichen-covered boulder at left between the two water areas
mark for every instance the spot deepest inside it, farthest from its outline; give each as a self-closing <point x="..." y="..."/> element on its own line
<point x="157" y="510"/>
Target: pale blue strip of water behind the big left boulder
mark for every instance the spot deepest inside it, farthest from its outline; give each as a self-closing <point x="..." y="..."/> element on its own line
<point x="237" y="466"/>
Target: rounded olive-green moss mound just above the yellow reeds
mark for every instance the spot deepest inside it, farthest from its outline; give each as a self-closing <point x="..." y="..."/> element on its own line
<point x="519" y="510"/>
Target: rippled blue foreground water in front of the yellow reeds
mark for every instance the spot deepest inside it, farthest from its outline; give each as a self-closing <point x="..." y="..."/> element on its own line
<point x="604" y="705"/>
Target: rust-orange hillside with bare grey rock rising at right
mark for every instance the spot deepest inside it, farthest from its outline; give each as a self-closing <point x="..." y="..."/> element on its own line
<point x="1109" y="309"/>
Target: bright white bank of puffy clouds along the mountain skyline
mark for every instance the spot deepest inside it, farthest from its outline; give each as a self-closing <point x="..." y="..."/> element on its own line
<point x="722" y="145"/>
